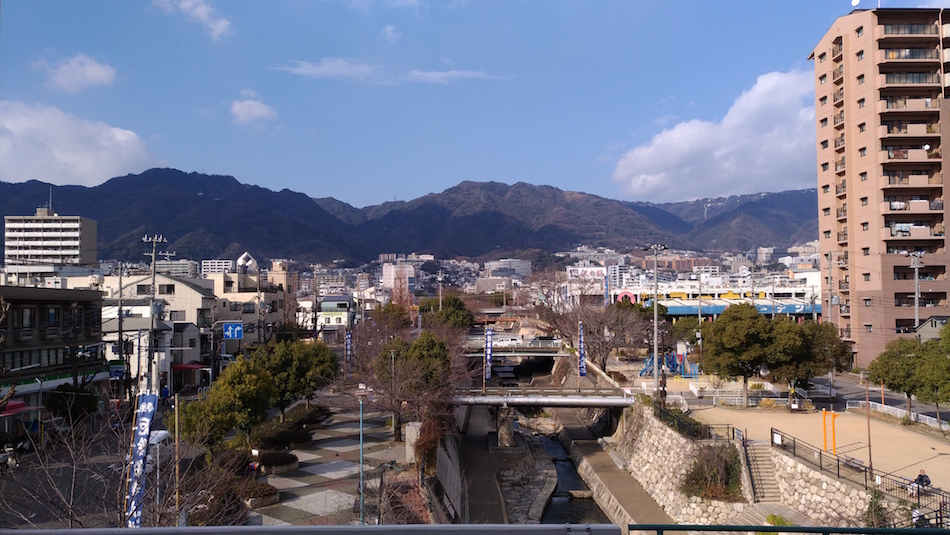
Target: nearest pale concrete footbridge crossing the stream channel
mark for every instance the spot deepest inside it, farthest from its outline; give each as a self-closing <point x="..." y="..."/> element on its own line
<point x="545" y="397"/>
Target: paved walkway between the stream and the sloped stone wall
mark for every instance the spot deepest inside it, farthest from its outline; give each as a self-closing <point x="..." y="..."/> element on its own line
<point x="632" y="497"/>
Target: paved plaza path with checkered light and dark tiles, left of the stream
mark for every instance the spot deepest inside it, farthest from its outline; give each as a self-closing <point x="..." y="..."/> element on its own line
<point x="325" y="488"/>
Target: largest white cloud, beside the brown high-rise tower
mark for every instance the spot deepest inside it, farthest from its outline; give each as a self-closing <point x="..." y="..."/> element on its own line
<point x="766" y="142"/>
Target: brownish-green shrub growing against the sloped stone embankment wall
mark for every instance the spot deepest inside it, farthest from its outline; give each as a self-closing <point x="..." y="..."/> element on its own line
<point x="715" y="474"/>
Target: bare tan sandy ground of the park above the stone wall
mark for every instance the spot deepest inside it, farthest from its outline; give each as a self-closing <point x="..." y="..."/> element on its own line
<point x="895" y="449"/>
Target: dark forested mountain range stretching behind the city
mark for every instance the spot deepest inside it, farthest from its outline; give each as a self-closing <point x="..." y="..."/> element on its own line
<point x="213" y="216"/>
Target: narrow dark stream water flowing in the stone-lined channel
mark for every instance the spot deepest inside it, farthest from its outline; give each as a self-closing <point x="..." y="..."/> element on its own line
<point x="562" y="509"/>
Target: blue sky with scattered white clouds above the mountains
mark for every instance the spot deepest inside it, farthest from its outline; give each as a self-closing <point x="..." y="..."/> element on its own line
<point x="370" y="101"/>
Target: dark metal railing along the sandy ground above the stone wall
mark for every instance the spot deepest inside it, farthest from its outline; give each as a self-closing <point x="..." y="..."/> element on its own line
<point x="934" y="503"/>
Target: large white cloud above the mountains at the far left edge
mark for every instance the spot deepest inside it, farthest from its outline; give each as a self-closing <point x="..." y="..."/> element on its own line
<point x="45" y="143"/>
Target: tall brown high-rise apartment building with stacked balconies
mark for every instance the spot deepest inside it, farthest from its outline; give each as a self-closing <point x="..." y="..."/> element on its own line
<point x="879" y="113"/>
